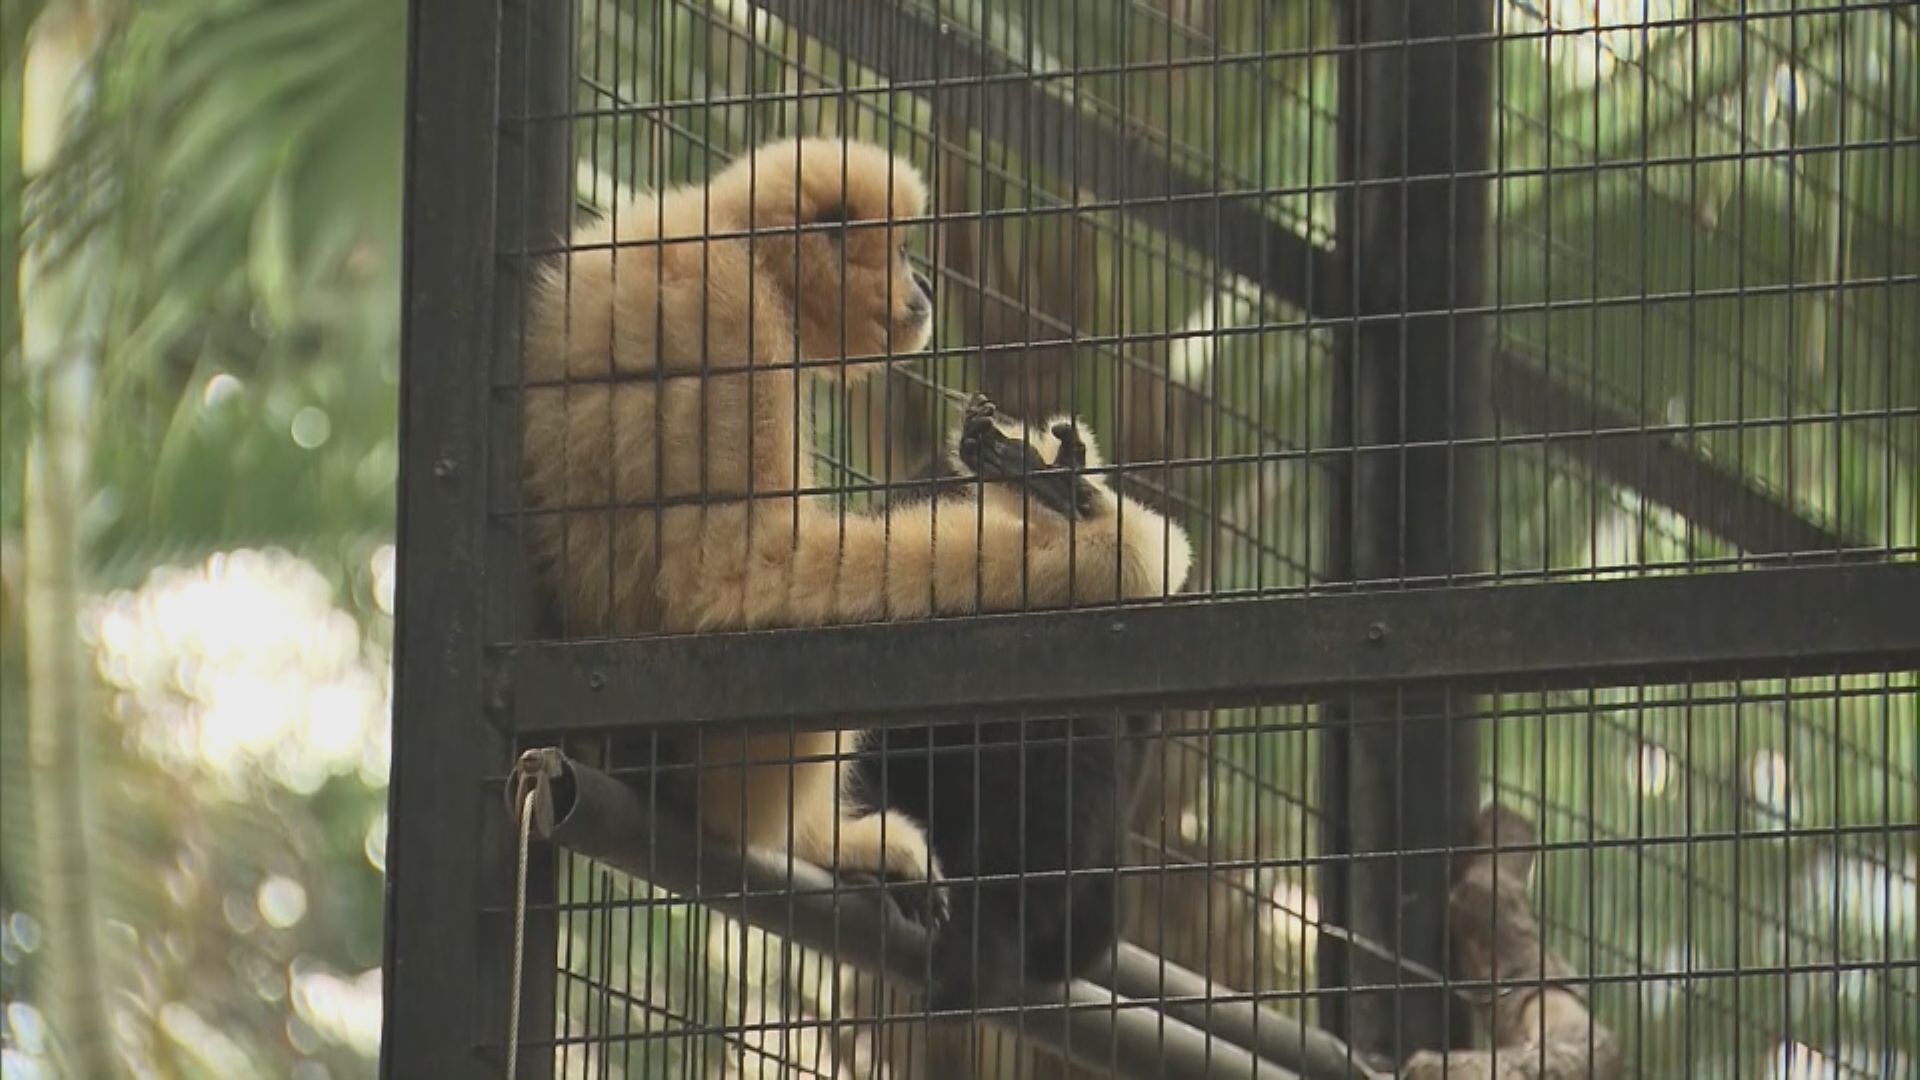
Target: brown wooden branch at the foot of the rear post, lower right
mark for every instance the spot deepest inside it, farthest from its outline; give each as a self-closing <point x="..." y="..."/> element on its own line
<point x="1539" y="1019"/>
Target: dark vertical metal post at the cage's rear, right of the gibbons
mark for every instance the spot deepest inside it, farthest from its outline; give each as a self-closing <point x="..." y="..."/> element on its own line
<point x="1403" y="773"/>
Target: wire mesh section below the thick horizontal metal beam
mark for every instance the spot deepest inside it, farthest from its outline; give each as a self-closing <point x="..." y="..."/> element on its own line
<point x="1731" y="868"/>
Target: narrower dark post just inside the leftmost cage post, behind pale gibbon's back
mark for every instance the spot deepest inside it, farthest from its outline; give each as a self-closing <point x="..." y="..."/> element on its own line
<point x="537" y="205"/>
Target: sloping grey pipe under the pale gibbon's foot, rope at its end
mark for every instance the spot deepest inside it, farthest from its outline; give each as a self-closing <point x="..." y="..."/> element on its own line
<point x="600" y="818"/>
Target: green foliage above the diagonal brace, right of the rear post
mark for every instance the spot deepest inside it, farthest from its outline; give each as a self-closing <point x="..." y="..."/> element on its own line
<point x="1719" y="235"/>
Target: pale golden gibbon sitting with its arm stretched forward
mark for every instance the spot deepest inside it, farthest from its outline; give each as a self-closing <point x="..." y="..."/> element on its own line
<point x="669" y="479"/>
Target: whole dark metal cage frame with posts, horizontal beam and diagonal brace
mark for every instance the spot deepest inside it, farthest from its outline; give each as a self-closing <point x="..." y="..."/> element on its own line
<point x="468" y="693"/>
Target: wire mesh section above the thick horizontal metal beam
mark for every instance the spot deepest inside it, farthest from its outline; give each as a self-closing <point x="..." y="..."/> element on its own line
<point x="1702" y="291"/>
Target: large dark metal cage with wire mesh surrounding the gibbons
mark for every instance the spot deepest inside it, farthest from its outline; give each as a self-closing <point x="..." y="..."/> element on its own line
<point x="1537" y="385"/>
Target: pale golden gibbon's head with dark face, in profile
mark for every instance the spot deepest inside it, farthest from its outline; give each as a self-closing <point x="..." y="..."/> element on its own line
<point x="846" y="266"/>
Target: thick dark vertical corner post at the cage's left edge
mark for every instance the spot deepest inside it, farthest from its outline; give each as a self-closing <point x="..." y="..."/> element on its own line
<point x="452" y="879"/>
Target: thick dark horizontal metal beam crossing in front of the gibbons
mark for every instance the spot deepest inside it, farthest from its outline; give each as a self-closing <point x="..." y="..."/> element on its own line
<point x="1493" y="637"/>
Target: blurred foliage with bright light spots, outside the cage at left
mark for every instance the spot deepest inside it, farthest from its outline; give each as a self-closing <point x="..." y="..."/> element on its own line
<point x="228" y="189"/>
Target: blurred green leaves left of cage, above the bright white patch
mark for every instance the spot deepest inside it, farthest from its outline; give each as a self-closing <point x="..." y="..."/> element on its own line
<point x="239" y="166"/>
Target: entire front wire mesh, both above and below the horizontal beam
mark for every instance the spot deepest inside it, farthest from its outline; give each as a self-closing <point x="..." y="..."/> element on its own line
<point x="1698" y="297"/>
